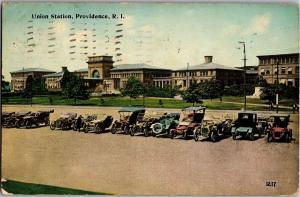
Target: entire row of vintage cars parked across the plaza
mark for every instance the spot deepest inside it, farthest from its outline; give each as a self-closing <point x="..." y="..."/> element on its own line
<point x="190" y="123"/>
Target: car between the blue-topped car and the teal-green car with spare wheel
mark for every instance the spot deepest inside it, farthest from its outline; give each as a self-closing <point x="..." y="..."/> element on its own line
<point x="144" y="123"/>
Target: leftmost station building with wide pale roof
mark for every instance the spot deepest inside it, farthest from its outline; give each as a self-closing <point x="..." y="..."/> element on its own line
<point x="19" y="77"/>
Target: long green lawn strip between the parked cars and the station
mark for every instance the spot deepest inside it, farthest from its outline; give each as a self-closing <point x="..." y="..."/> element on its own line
<point x="149" y="102"/>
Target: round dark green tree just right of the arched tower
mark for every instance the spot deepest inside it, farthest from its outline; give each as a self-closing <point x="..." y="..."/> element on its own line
<point x="133" y="88"/>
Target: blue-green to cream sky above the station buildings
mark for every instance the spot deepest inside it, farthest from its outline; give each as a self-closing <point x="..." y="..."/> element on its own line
<point x="167" y="35"/>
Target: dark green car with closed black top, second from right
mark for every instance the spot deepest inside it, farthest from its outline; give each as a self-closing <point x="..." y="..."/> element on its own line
<point x="246" y="126"/>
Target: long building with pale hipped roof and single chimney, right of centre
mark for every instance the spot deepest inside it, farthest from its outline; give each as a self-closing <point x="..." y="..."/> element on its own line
<point x="206" y="71"/>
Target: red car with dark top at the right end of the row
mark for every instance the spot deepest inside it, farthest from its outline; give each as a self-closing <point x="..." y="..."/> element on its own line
<point x="278" y="129"/>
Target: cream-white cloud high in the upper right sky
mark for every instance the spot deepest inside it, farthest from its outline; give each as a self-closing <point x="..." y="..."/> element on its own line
<point x="260" y="23"/>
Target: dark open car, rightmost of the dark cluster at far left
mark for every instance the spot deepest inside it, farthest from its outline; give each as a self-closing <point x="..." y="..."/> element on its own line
<point x="39" y="118"/>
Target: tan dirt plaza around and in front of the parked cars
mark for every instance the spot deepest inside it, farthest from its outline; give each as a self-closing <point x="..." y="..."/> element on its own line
<point x="121" y="164"/>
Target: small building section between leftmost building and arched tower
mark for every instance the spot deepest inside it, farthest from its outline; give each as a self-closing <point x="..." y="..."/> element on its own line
<point x="53" y="80"/>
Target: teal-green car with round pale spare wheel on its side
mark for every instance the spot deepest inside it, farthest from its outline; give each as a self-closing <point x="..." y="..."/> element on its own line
<point x="166" y="122"/>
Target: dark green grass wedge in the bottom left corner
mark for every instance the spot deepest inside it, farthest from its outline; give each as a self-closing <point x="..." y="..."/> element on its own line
<point x="16" y="187"/>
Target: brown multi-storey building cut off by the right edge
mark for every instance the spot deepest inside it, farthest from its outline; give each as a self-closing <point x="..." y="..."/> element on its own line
<point x="288" y="68"/>
